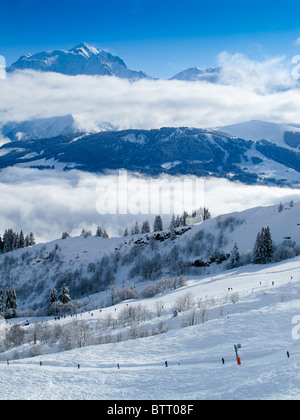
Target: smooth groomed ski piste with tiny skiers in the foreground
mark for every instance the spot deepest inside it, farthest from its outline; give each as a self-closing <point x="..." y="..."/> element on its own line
<point x="261" y="321"/>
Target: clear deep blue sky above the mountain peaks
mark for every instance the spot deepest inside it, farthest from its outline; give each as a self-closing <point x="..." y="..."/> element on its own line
<point x="160" y="37"/>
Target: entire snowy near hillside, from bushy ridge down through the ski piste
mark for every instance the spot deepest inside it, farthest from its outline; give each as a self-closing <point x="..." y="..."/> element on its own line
<point x="254" y="305"/>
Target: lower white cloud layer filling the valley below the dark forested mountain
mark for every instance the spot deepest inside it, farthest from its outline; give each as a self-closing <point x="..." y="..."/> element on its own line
<point x="49" y="203"/>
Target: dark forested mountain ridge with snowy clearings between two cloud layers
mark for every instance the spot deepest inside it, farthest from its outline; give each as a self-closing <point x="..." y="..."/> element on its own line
<point x="270" y="155"/>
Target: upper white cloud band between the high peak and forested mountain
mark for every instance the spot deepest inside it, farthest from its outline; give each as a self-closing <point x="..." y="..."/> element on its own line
<point x="249" y="91"/>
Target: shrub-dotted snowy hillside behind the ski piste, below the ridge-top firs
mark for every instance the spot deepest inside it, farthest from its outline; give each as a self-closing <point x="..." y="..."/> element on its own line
<point x="89" y="265"/>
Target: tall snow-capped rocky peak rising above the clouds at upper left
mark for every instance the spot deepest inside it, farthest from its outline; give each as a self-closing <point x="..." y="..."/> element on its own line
<point x="82" y="59"/>
